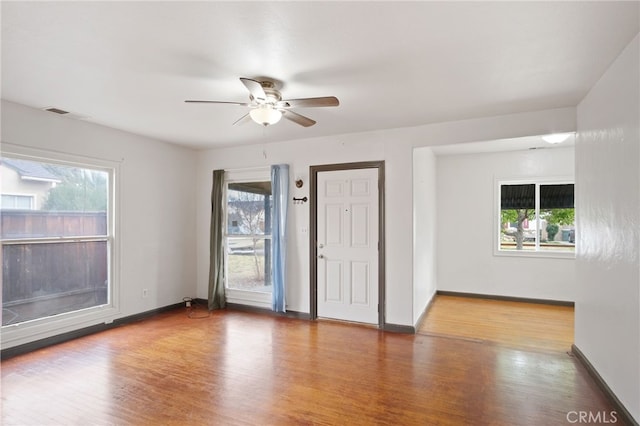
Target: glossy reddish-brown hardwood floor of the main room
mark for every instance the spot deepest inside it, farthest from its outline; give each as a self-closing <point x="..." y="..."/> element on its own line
<point x="240" y="368"/>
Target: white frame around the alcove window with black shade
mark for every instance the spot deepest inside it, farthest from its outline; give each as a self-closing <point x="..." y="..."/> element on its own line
<point x="537" y="181"/>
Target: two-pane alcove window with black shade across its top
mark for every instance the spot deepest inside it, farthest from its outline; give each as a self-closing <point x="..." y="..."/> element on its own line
<point x="536" y="217"/>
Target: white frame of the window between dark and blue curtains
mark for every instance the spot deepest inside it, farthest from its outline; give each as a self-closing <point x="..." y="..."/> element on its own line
<point x="232" y="295"/>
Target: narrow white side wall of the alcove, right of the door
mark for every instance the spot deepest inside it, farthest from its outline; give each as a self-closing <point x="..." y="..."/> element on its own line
<point x="424" y="230"/>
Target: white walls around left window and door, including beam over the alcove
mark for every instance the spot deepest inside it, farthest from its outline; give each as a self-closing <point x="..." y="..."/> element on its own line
<point x="157" y="196"/>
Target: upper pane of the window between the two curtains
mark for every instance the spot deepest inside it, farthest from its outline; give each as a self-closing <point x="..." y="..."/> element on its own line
<point x="249" y="208"/>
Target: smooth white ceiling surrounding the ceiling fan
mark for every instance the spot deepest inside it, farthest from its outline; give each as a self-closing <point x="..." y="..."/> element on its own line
<point x="131" y="65"/>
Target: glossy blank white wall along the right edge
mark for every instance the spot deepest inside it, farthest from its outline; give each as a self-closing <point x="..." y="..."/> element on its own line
<point x="608" y="225"/>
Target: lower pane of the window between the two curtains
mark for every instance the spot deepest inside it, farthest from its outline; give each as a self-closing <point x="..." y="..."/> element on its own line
<point x="249" y="264"/>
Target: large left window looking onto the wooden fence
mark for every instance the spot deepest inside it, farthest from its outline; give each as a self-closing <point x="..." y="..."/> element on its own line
<point x="57" y="259"/>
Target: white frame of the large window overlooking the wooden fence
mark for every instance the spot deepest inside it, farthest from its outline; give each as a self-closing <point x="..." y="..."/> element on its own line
<point x="42" y="328"/>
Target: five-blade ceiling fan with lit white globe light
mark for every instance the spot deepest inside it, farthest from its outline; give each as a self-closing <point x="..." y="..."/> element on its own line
<point x="268" y="107"/>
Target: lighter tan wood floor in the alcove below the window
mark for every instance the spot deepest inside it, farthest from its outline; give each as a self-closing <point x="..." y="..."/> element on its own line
<point x="515" y="324"/>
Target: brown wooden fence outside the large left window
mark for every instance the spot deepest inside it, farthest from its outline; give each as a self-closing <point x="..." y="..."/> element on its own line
<point x="33" y="272"/>
